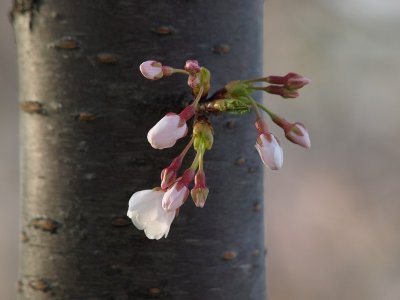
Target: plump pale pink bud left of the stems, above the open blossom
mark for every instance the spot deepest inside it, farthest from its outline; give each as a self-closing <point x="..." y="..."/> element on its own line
<point x="167" y="131"/>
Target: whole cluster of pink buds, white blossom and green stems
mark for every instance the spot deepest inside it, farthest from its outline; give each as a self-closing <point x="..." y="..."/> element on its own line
<point x="154" y="210"/>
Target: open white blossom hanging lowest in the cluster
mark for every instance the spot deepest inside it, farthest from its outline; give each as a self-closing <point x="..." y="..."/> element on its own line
<point x="147" y="213"/>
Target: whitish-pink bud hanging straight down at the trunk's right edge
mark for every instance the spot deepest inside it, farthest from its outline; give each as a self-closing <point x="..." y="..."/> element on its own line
<point x="270" y="151"/>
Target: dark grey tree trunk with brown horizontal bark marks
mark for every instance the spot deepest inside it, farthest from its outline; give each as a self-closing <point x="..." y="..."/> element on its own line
<point x="85" y="113"/>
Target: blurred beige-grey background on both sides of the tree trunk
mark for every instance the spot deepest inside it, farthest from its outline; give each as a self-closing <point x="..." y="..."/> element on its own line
<point x="332" y="213"/>
